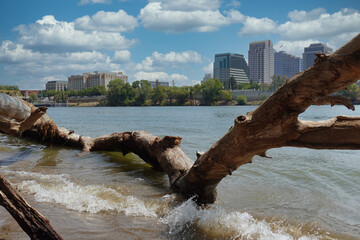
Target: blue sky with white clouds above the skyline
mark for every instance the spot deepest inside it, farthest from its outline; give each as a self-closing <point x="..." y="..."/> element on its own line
<point x="45" y="40"/>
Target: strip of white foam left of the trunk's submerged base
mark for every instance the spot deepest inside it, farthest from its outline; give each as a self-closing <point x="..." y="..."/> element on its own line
<point x="59" y="188"/>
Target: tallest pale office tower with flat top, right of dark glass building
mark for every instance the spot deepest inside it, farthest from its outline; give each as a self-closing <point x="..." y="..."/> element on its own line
<point x="261" y="61"/>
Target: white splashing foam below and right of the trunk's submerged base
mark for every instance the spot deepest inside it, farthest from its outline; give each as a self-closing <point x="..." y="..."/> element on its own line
<point x="218" y="222"/>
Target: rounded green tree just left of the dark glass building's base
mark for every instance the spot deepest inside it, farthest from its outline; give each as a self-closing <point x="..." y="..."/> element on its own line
<point x="211" y="90"/>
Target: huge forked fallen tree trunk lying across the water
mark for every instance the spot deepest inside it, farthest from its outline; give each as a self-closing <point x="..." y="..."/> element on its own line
<point x="273" y="124"/>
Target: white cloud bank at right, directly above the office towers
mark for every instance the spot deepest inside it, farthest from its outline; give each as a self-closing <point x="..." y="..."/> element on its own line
<point x="305" y="28"/>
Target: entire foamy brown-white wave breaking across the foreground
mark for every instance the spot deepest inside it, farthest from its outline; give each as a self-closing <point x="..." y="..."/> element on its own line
<point x="184" y="221"/>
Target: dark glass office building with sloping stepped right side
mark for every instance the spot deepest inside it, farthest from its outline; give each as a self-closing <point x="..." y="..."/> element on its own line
<point x="227" y="65"/>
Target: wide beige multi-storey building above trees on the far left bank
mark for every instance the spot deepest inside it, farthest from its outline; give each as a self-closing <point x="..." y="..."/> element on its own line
<point x="97" y="78"/>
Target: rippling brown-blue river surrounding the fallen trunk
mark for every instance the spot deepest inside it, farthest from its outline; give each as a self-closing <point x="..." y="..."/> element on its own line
<point x="297" y="194"/>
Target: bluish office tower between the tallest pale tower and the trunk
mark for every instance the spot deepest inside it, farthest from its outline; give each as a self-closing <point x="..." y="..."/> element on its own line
<point x="286" y="64"/>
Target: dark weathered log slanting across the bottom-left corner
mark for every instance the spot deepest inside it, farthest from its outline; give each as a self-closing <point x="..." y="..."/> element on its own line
<point x="30" y="220"/>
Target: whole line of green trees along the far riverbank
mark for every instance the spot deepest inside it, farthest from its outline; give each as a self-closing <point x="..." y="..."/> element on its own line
<point x="140" y="92"/>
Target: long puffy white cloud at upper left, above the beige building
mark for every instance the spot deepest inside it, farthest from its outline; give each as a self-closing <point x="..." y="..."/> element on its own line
<point x="50" y="35"/>
